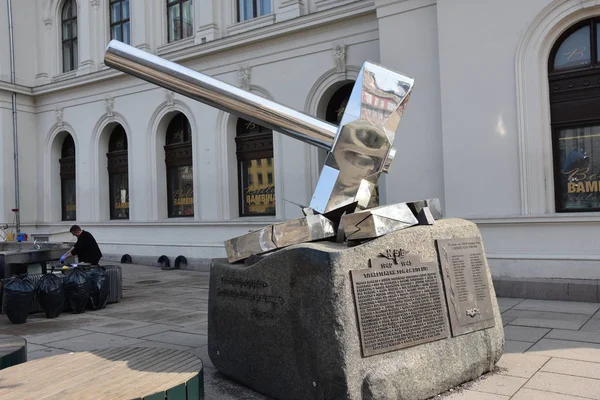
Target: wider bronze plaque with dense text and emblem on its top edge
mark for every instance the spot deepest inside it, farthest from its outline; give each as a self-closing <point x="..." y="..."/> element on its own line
<point x="399" y="302"/>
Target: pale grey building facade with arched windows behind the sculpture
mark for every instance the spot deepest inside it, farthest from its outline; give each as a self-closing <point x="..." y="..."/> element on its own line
<point x="502" y="124"/>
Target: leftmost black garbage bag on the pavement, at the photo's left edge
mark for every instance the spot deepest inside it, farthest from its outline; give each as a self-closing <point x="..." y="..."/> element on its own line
<point x="20" y="291"/>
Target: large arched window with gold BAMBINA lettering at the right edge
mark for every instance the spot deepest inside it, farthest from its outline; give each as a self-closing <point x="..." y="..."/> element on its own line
<point x="574" y="82"/>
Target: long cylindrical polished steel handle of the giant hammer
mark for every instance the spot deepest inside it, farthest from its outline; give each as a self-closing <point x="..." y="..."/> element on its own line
<point x="221" y="95"/>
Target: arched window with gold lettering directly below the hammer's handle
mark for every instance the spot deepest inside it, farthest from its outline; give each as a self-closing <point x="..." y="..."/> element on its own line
<point x="256" y="169"/>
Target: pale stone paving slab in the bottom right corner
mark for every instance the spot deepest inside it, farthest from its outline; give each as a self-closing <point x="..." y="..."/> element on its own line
<point x="565" y="384"/>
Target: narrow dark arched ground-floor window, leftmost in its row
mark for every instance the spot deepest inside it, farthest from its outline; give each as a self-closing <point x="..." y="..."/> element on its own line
<point x="67" y="180"/>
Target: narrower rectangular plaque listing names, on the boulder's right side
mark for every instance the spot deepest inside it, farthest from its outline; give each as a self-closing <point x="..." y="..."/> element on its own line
<point x="466" y="284"/>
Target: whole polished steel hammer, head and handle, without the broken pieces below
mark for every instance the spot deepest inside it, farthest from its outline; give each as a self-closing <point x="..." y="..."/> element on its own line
<point x="361" y="147"/>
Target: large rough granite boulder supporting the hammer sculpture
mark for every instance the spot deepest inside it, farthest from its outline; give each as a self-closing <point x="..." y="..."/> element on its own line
<point x="288" y="326"/>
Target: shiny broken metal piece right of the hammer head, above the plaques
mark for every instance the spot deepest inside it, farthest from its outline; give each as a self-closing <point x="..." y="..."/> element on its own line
<point x="379" y="221"/>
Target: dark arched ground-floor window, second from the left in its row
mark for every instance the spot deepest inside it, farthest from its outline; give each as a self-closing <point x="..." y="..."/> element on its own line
<point x="118" y="174"/>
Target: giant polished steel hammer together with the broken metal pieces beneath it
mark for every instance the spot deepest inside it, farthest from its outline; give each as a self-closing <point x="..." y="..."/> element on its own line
<point x="360" y="149"/>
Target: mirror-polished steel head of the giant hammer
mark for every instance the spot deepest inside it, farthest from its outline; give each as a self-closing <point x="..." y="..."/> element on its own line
<point x="362" y="148"/>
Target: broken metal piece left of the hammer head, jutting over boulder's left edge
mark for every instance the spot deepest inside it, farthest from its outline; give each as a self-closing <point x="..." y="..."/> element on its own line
<point x="301" y="230"/>
